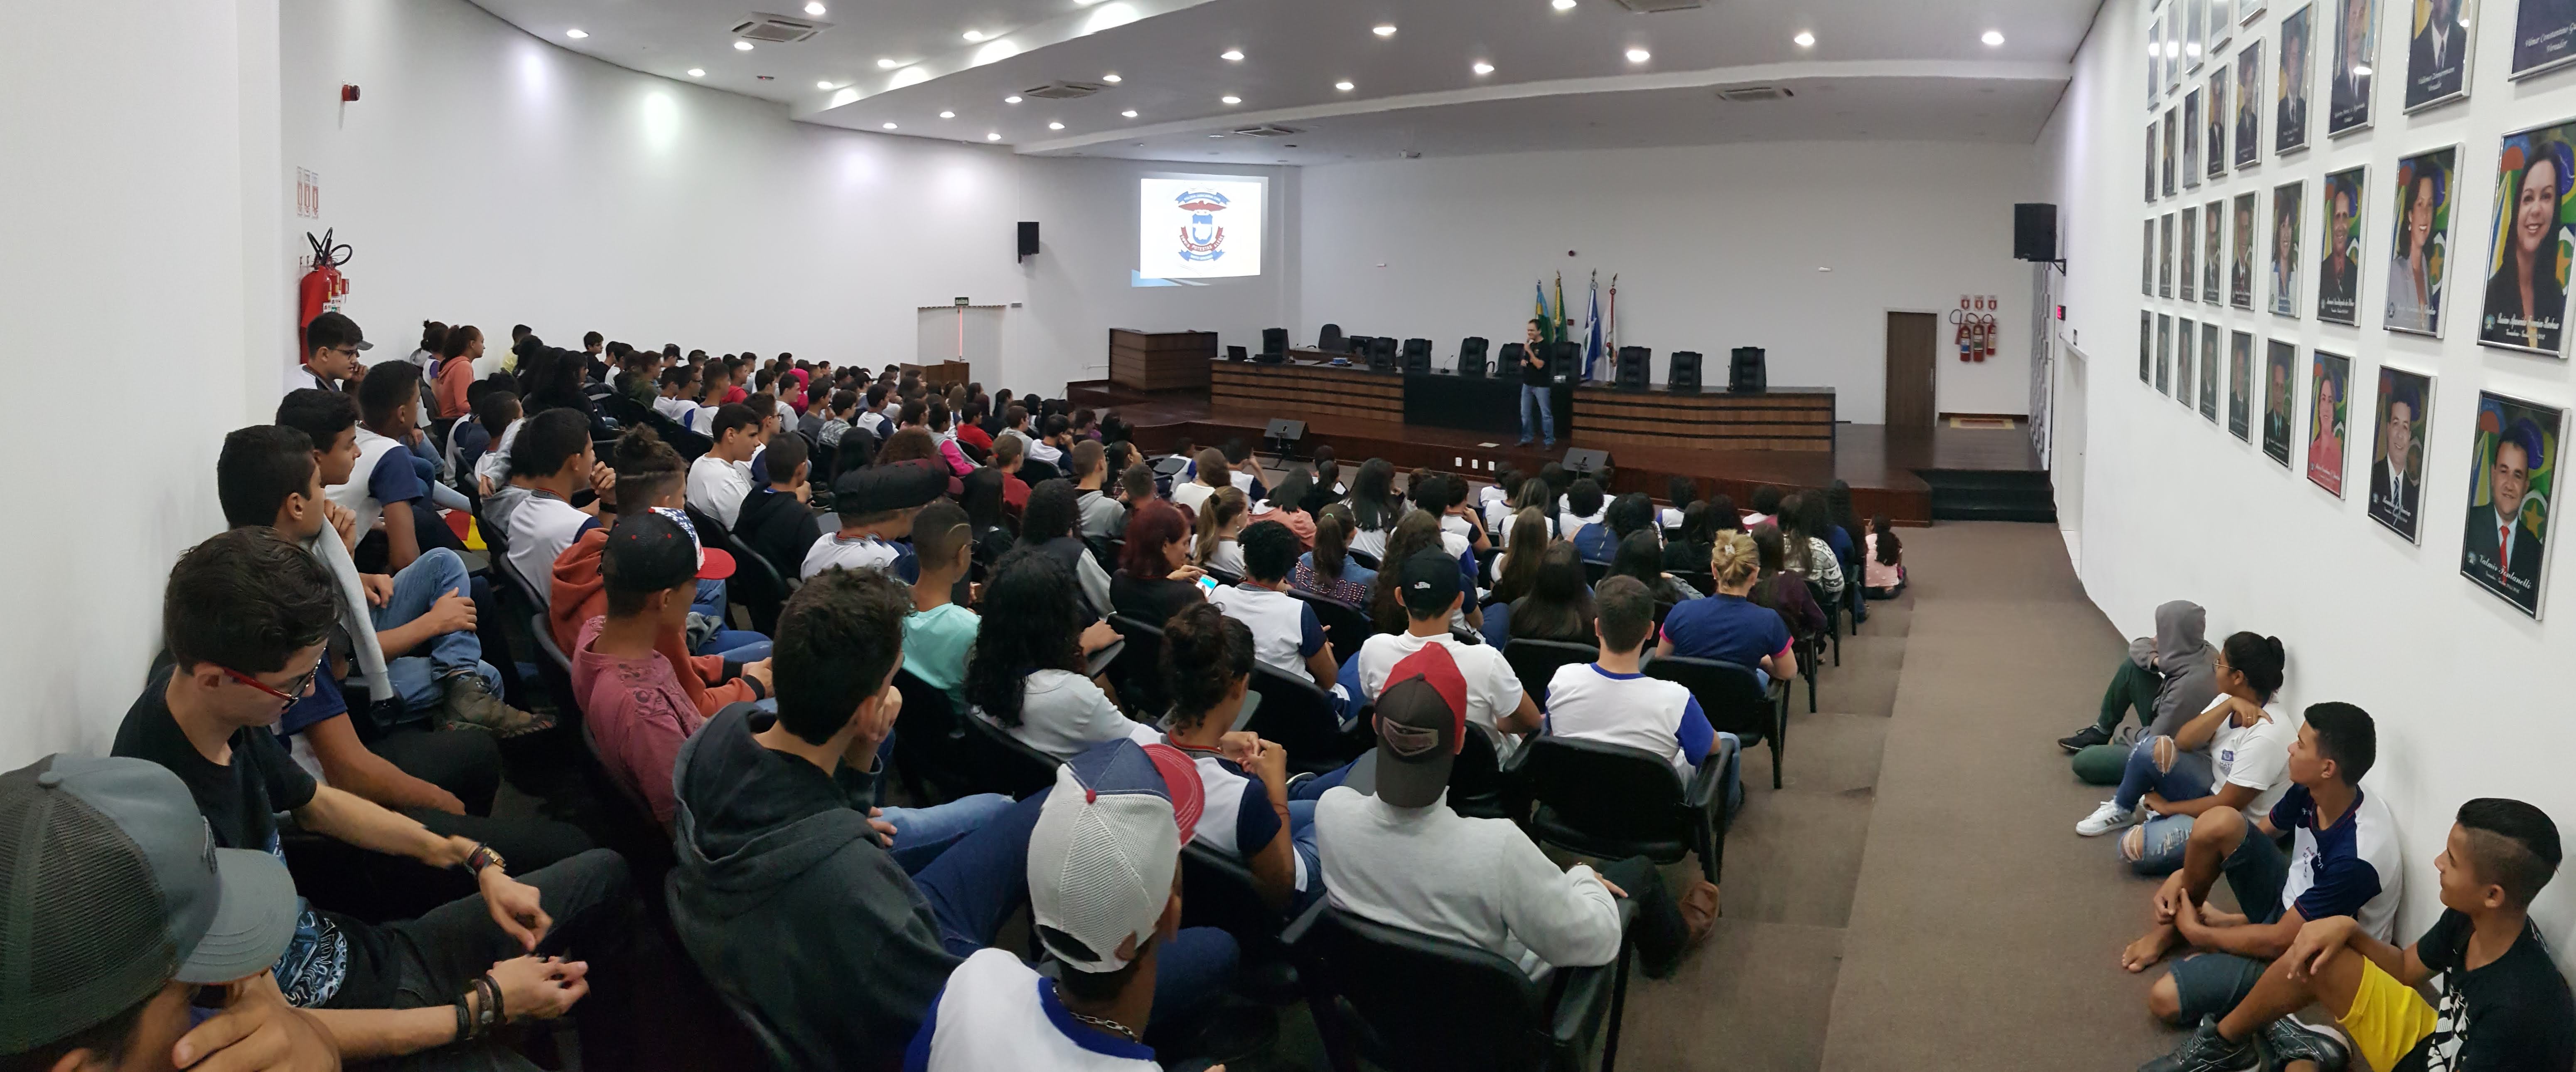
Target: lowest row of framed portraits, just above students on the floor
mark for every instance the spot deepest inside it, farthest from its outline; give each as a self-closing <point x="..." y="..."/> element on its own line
<point x="2513" y="447"/>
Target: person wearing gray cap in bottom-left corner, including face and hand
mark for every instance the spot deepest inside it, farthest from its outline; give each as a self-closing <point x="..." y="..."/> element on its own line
<point x="143" y="908"/>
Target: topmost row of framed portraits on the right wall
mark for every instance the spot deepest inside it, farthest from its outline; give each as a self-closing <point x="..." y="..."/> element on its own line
<point x="2441" y="45"/>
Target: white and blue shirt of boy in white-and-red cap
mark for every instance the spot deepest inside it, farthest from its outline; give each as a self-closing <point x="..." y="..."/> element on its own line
<point x="1001" y="1017"/>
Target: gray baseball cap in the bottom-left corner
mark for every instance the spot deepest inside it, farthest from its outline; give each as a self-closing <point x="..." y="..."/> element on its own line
<point x="112" y="885"/>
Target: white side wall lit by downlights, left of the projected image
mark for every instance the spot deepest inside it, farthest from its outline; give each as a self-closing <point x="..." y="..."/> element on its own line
<point x="493" y="179"/>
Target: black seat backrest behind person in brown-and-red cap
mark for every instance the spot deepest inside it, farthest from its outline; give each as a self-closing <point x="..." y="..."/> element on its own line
<point x="1428" y="1004"/>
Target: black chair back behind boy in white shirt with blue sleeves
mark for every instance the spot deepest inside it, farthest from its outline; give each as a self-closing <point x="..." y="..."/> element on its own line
<point x="1614" y="803"/>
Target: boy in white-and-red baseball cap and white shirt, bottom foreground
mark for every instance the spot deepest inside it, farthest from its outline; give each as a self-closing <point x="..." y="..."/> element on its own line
<point x="1104" y="888"/>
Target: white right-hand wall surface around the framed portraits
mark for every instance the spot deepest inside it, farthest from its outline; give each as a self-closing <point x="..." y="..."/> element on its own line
<point x="2472" y="700"/>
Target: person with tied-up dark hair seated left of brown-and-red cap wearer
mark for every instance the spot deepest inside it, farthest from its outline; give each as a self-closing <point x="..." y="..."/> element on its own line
<point x="1207" y="664"/>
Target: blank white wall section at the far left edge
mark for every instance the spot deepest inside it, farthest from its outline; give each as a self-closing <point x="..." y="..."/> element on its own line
<point x="140" y="153"/>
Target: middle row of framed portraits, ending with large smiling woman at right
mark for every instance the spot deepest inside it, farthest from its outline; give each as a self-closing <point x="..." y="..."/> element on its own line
<point x="2528" y="254"/>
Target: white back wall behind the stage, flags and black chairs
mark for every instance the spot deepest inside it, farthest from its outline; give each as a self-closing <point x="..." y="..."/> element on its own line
<point x="1714" y="249"/>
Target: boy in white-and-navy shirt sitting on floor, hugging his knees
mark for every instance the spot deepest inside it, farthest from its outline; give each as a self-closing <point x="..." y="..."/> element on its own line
<point x="2345" y="862"/>
